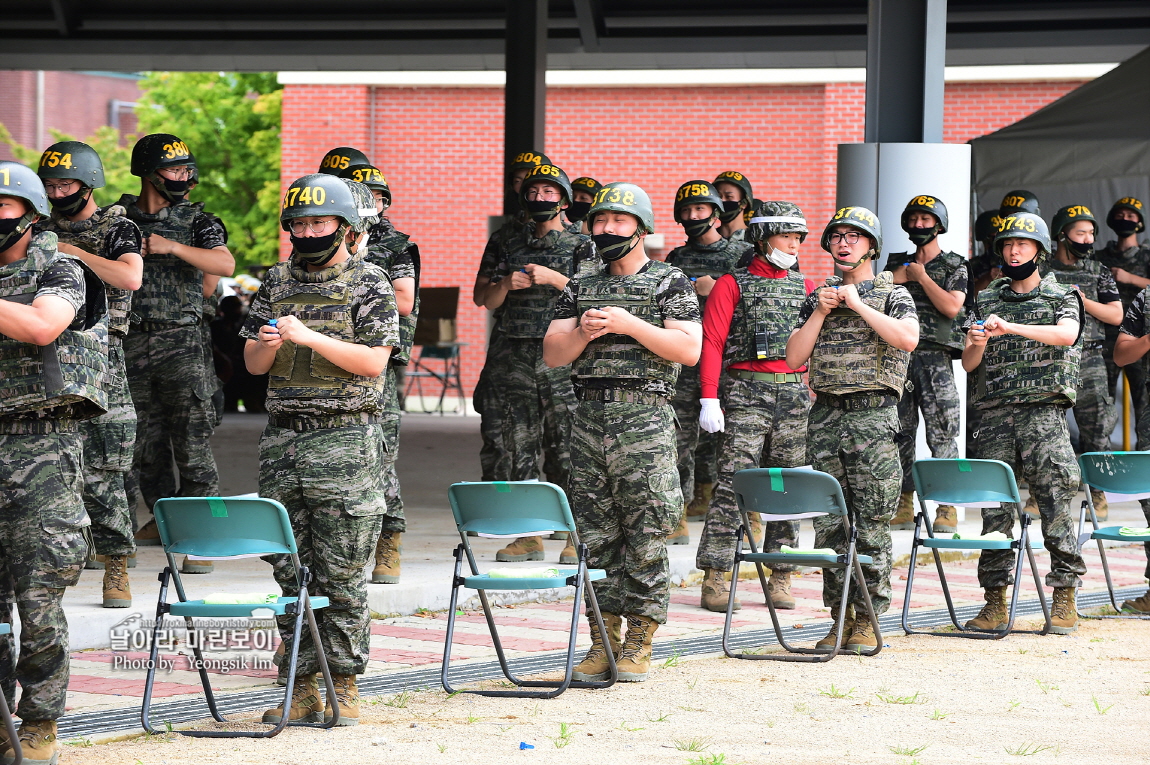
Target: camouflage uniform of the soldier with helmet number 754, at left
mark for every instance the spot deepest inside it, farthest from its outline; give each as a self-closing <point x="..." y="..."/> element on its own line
<point x="109" y="440"/>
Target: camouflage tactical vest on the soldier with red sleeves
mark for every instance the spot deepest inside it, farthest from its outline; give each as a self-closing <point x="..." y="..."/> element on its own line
<point x="764" y="317"/>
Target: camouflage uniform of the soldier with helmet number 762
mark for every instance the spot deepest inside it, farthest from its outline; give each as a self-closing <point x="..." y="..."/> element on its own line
<point x="931" y="376"/>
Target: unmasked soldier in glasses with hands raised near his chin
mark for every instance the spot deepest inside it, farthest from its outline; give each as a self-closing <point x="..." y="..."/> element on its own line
<point x="858" y="334"/>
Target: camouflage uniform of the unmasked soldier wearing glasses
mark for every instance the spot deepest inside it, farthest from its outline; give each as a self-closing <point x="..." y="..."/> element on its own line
<point x="852" y="432"/>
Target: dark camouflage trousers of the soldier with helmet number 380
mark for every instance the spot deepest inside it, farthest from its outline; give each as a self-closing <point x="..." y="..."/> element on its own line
<point x="170" y="384"/>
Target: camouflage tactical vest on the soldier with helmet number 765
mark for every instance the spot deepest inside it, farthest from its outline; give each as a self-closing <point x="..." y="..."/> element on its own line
<point x="528" y="312"/>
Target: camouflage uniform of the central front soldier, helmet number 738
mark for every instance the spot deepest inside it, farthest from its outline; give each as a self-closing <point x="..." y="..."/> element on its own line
<point x="625" y="488"/>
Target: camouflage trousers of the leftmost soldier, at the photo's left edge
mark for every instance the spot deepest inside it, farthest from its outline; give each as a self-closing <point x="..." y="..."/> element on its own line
<point x="42" y="553"/>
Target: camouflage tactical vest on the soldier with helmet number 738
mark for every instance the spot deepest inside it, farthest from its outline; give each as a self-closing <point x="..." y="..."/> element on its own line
<point x="622" y="356"/>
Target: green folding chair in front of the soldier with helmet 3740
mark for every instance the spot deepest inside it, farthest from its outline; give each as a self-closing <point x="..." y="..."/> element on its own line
<point x="232" y="527"/>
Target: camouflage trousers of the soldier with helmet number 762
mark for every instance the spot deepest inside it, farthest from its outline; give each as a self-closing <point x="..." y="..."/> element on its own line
<point x="931" y="389"/>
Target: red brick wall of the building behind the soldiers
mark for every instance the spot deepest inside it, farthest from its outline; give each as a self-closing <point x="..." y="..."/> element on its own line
<point x="441" y="150"/>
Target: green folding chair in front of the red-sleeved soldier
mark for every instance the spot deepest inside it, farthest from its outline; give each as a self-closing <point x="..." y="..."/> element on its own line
<point x="787" y="494"/>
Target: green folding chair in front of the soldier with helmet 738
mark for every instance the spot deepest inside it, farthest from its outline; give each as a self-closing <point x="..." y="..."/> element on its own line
<point x="516" y="509"/>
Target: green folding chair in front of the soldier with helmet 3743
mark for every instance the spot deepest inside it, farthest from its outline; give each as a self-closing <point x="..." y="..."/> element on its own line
<point x="980" y="483"/>
